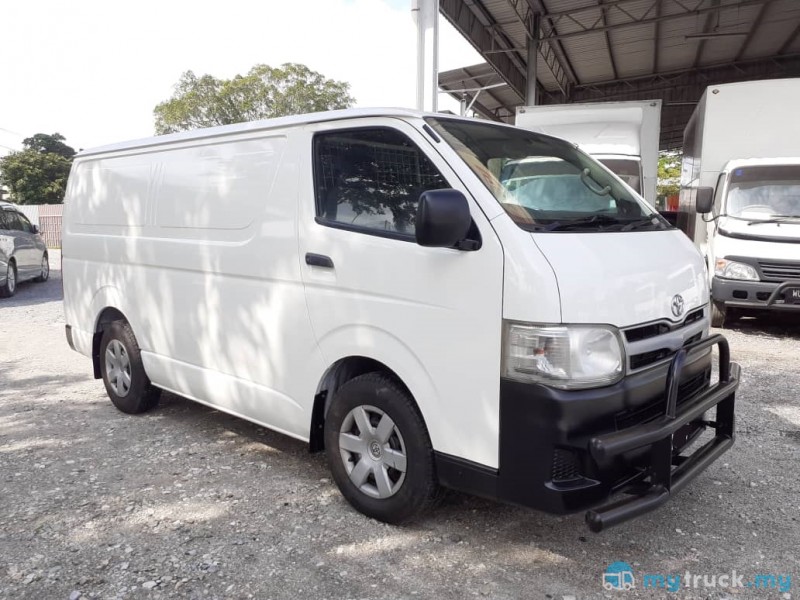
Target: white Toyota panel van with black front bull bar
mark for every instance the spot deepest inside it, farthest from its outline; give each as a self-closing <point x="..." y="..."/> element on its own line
<point x="361" y="280"/>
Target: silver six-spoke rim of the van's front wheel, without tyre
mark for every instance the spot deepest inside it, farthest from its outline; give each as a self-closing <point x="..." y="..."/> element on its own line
<point x="373" y="452"/>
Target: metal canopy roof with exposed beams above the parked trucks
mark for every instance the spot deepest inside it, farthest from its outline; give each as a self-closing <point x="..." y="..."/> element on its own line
<point x="595" y="50"/>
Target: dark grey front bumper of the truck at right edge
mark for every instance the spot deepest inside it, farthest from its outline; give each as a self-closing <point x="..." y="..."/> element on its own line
<point x="758" y="295"/>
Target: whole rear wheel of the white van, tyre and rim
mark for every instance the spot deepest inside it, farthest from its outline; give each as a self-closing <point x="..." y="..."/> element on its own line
<point x="123" y="373"/>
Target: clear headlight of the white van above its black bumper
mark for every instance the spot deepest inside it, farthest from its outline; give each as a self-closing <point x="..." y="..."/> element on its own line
<point x="562" y="356"/>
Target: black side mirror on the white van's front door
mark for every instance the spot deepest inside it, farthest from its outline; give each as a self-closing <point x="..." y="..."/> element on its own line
<point x="443" y="218"/>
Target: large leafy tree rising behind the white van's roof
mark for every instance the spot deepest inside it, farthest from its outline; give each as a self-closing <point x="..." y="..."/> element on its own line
<point x="264" y="92"/>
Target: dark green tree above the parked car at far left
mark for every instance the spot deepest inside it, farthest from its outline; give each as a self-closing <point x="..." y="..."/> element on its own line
<point x="38" y="173"/>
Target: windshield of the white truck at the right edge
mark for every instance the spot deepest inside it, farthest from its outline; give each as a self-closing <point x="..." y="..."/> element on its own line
<point x="764" y="193"/>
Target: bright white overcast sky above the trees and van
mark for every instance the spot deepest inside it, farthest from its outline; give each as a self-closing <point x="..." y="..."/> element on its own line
<point x="93" y="70"/>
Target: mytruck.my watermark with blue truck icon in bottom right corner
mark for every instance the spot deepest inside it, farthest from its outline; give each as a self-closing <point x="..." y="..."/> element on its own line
<point x="620" y="576"/>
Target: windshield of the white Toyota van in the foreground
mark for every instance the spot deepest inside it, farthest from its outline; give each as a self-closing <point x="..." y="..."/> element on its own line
<point x="544" y="183"/>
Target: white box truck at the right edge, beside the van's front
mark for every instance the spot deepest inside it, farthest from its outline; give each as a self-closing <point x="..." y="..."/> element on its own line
<point x="740" y="195"/>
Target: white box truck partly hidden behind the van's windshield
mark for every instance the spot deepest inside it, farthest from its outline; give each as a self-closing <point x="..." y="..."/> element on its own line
<point x="621" y="135"/>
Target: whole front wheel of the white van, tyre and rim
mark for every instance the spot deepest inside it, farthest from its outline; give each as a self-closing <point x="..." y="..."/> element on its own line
<point x="380" y="489"/>
